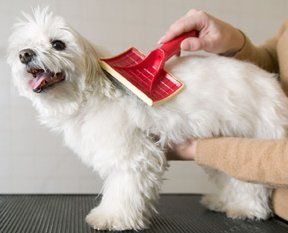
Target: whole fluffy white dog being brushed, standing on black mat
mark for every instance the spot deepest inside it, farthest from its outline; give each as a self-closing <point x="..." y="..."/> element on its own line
<point x="110" y="130"/>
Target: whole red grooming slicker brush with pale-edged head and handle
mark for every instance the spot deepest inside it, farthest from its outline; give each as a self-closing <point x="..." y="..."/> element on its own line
<point x="145" y="75"/>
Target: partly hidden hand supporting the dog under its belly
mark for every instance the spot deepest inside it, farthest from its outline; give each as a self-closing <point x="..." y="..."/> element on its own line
<point x="184" y="151"/>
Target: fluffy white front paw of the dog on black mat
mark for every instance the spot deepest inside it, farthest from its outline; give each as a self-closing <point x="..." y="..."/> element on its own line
<point x="102" y="219"/>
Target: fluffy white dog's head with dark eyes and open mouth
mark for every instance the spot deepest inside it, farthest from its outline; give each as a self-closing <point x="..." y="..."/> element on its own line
<point x="49" y="60"/>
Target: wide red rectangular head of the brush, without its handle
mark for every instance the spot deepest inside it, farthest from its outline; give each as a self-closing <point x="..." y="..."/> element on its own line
<point x="141" y="81"/>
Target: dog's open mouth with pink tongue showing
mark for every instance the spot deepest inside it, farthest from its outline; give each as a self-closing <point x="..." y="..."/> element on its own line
<point x="43" y="79"/>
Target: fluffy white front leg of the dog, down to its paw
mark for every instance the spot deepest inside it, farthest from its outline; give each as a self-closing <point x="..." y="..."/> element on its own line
<point x="130" y="190"/>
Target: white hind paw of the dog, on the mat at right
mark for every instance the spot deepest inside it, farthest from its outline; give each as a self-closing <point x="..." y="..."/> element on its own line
<point x="242" y="213"/>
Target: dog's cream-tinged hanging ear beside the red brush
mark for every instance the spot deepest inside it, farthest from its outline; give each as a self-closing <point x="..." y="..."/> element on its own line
<point x="95" y="77"/>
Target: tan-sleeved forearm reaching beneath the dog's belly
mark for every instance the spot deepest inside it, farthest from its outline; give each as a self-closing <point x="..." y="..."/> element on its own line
<point x="246" y="159"/>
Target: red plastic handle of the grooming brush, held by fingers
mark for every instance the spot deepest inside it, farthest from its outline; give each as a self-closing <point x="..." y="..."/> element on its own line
<point x="172" y="47"/>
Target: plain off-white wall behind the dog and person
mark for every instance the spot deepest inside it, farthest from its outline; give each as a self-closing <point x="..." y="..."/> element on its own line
<point x="32" y="159"/>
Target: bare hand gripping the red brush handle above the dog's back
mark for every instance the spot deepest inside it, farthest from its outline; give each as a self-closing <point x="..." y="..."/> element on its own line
<point x="215" y="36"/>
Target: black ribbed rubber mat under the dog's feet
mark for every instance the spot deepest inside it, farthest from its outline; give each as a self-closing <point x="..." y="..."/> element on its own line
<point x="66" y="214"/>
